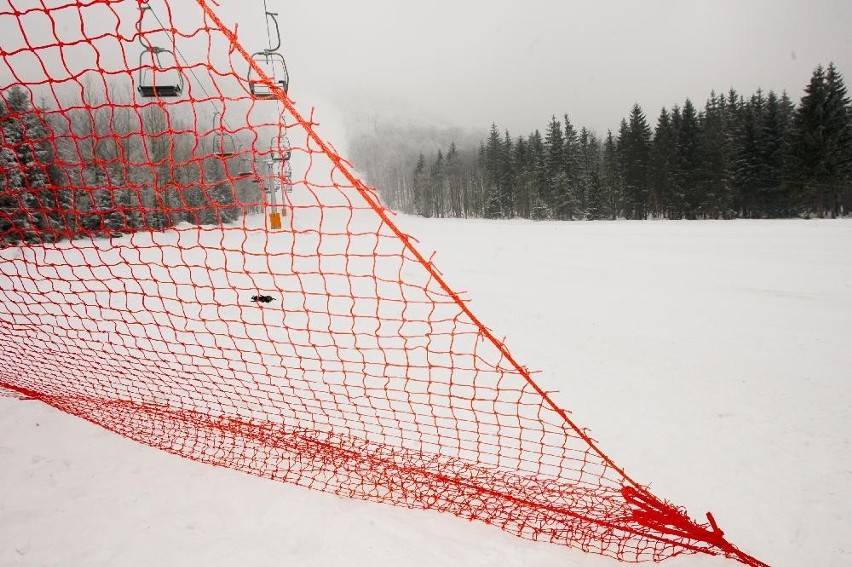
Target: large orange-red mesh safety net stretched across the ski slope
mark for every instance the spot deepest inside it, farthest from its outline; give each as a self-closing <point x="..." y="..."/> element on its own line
<point x="184" y="261"/>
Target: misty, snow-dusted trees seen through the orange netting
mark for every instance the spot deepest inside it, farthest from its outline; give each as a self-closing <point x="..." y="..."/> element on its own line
<point x="101" y="166"/>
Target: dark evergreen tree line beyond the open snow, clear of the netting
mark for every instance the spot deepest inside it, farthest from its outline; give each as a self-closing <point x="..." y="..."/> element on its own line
<point x="761" y="156"/>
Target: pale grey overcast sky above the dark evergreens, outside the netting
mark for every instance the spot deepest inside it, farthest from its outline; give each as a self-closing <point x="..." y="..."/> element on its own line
<point x="516" y="62"/>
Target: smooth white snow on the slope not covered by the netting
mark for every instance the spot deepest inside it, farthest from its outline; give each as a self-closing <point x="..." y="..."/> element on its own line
<point x="710" y="359"/>
